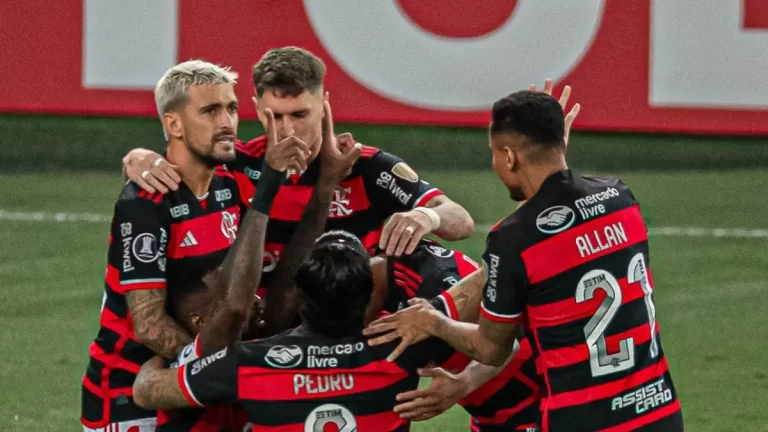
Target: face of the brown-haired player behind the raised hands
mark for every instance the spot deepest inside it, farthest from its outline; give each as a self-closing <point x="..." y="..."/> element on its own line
<point x="300" y="116"/>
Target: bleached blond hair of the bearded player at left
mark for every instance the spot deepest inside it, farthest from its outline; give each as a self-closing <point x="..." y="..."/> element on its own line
<point x="171" y="91"/>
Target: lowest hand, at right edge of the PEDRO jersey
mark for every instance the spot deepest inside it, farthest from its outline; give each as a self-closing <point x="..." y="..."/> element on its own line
<point x="444" y="391"/>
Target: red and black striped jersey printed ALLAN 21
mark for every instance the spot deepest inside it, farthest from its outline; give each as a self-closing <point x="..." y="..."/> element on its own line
<point x="572" y="265"/>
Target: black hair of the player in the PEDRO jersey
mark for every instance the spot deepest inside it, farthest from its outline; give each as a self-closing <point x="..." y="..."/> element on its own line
<point x="334" y="286"/>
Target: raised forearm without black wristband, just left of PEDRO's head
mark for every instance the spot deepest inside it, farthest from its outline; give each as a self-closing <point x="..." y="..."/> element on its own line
<point x="280" y="298"/>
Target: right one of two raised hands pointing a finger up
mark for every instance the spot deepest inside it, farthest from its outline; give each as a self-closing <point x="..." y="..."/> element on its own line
<point x="338" y="153"/>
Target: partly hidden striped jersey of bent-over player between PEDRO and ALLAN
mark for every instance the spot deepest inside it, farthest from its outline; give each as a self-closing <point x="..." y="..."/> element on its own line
<point x="508" y="401"/>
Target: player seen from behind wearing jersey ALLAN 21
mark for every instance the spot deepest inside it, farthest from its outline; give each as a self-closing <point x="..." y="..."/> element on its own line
<point x="571" y="267"/>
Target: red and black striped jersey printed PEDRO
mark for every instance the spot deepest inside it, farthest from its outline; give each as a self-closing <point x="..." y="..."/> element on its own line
<point x="299" y="381"/>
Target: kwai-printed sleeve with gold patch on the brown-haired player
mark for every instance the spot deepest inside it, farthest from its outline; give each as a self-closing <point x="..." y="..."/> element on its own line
<point x="394" y="186"/>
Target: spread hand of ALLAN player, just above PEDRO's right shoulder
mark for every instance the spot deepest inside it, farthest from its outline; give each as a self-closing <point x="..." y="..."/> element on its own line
<point x="411" y="325"/>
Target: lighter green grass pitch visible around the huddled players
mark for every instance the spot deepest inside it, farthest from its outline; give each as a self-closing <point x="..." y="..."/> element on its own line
<point x="710" y="290"/>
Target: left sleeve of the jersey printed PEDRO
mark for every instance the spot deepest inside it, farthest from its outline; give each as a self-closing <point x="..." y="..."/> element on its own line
<point x="211" y="379"/>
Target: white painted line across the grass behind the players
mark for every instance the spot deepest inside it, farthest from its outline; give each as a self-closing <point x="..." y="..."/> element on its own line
<point x="26" y="216"/>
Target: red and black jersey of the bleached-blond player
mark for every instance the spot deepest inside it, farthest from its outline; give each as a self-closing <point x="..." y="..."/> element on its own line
<point x="156" y="242"/>
